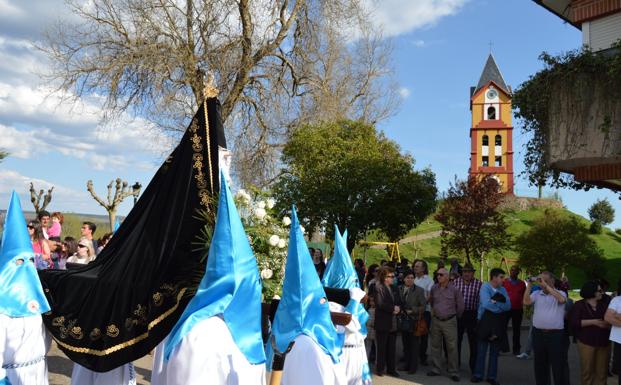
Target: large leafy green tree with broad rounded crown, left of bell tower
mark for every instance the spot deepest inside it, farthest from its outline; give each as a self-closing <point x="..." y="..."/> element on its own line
<point x="347" y="173"/>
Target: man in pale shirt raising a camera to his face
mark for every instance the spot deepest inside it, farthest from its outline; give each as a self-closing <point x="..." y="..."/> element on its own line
<point x="548" y="330"/>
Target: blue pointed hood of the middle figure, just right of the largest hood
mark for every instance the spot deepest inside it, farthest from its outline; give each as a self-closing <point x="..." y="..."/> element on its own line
<point x="304" y="307"/>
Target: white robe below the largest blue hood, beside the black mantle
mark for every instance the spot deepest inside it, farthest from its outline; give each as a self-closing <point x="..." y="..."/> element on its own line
<point x="206" y="355"/>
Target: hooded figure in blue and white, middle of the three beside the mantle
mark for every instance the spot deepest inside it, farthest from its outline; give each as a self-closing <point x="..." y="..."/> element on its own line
<point x="303" y="317"/>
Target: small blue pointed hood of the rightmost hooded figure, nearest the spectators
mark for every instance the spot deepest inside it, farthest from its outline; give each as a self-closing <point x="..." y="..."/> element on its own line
<point x="340" y="272"/>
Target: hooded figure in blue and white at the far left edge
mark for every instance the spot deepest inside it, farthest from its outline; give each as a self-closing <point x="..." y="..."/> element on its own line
<point x="23" y="340"/>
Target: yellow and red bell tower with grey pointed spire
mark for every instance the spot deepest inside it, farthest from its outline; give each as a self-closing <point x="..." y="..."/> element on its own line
<point x="491" y="132"/>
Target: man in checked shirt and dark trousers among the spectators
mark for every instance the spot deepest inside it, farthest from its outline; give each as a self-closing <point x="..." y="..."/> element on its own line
<point x="470" y="288"/>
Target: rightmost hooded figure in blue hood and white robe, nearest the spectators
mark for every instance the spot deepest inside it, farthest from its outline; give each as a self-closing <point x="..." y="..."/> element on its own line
<point x="340" y="274"/>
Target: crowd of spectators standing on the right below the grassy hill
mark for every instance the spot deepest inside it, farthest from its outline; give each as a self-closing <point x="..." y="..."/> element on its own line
<point x="433" y="313"/>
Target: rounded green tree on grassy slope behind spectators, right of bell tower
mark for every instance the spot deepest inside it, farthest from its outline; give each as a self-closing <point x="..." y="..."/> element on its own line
<point x="555" y="242"/>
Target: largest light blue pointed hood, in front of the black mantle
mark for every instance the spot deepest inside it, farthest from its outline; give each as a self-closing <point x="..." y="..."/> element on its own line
<point x="231" y="286"/>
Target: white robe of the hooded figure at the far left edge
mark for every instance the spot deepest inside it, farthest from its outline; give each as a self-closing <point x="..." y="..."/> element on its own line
<point x="23" y="346"/>
